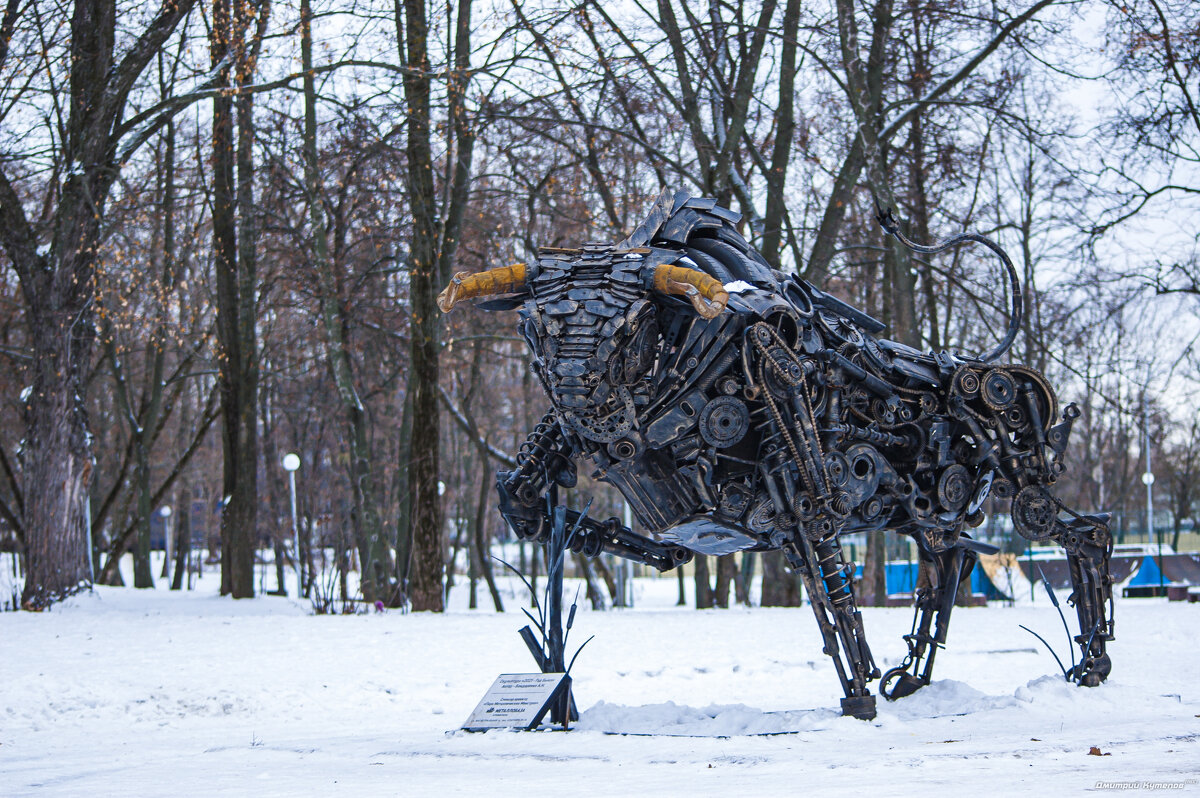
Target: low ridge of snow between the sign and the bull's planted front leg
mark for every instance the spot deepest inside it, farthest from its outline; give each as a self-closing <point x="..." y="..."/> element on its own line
<point x="716" y="721"/>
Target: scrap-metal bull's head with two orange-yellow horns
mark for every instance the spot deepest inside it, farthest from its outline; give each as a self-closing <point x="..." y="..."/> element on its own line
<point x="590" y="361"/>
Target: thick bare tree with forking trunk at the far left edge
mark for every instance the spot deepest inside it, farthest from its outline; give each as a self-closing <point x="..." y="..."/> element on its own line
<point x="55" y="254"/>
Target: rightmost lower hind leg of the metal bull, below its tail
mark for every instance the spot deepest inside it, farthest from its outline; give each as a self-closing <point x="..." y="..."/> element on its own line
<point x="1089" y="548"/>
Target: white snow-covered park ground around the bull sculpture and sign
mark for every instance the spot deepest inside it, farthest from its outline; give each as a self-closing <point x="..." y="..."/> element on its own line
<point x="149" y="693"/>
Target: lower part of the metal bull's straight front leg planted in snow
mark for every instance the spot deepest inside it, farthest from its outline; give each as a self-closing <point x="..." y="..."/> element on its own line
<point x="830" y="585"/>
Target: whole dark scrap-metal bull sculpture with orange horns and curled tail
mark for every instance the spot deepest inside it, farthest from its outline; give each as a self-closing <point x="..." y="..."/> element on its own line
<point x="737" y="409"/>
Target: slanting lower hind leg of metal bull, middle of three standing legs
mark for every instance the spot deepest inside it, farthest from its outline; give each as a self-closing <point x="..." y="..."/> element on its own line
<point x="943" y="572"/>
